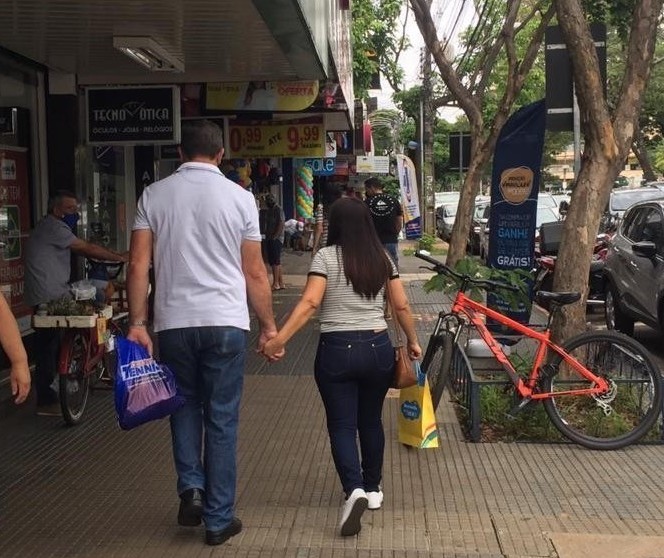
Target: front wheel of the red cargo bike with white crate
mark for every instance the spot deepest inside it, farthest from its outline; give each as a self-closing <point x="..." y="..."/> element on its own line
<point x="74" y="384"/>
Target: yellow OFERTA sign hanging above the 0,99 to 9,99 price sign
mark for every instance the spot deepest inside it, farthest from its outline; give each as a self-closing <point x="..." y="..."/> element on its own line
<point x="265" y="96"/>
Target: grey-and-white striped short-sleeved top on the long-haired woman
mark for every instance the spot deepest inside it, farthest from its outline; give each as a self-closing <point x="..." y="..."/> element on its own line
<point x="342" y="308"/>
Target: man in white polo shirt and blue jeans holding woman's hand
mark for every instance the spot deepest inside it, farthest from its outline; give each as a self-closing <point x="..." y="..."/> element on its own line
<point x="202" y="233"/>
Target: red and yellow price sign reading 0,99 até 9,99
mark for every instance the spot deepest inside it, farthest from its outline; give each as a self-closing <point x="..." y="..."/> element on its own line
<point x="302" y="138"/>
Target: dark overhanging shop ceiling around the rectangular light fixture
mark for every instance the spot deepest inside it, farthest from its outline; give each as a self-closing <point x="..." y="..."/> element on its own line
<point x="218" y="40"/>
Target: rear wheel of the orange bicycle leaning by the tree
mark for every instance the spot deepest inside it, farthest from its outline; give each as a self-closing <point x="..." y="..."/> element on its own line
<point x="618" y="418"/>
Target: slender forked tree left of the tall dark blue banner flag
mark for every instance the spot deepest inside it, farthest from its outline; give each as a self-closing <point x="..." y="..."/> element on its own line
<point x="511" y="31"/>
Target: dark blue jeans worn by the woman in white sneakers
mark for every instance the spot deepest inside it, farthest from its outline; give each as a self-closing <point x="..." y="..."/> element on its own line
<point x="353" y="371"/>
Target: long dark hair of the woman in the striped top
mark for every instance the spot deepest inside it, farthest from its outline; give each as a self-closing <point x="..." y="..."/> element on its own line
<point x="366" y="263"/>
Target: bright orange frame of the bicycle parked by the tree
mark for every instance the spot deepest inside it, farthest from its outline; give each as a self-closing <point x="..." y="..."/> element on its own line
<point x="472" y="310"/>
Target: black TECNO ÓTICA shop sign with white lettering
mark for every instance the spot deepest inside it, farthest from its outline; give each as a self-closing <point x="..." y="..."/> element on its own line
<point x="131" y="116"/>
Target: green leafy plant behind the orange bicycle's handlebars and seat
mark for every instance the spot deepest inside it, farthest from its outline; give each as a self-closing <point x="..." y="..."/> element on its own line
<point x="473" y="267"/>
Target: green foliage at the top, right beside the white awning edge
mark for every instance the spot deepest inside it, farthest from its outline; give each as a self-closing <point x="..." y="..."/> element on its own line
<point x="377" y="43"/>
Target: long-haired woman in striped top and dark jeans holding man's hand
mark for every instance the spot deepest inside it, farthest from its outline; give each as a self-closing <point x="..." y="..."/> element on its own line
<point x="354" y="364"/>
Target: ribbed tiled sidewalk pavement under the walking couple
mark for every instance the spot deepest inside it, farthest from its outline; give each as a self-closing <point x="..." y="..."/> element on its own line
<point x="95" y="491"/>
